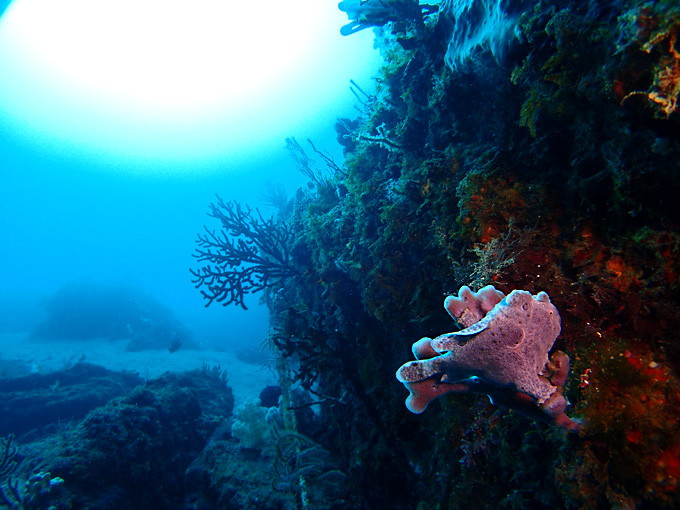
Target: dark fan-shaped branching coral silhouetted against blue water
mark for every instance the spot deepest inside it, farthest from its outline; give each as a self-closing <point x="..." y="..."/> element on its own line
<point x="246" y="256"/>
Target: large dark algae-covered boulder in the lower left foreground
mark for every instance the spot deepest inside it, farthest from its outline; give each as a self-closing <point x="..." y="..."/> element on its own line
<point x="133" y="451"/>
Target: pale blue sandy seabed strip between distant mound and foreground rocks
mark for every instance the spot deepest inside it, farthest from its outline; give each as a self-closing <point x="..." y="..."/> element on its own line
<point x="21" y="355"/>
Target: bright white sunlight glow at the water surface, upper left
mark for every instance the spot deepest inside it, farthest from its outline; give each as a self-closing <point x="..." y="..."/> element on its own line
<point x="171" y="79"/>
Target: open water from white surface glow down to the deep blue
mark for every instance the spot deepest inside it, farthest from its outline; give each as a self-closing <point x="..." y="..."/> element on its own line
<point x="120" y="121"/>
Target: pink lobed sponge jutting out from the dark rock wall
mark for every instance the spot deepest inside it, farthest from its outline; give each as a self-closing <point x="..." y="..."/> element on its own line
<point x="503" y="352"/>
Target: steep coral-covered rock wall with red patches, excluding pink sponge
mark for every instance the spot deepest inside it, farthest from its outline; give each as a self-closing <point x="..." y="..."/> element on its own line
<point x="553" y="169"/>
